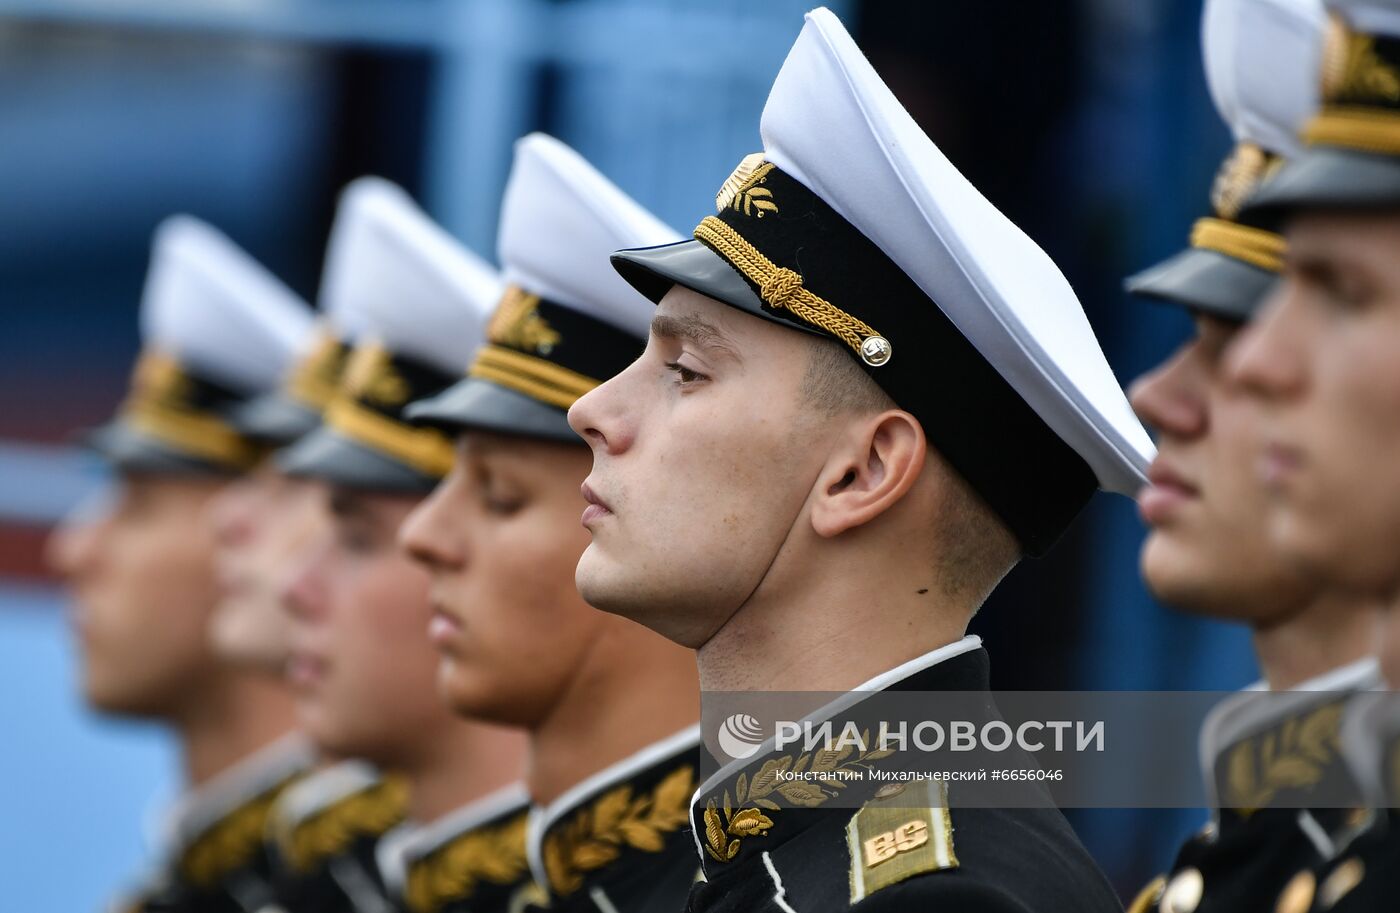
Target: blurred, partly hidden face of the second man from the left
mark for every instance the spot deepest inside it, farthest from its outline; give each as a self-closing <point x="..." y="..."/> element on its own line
<point x="262" y="526"/>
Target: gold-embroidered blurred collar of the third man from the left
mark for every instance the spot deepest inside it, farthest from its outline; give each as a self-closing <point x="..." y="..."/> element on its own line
<point x="450" y="860"/>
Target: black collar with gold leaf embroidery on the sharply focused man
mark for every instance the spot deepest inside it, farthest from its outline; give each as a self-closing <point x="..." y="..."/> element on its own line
<point x="745" y="800"/>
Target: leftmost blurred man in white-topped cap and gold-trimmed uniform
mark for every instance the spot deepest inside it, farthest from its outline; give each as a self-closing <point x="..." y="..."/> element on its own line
<point x="216" y="330"/>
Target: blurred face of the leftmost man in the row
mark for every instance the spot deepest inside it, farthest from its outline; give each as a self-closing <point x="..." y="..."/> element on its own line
<point x="142" y="573"/>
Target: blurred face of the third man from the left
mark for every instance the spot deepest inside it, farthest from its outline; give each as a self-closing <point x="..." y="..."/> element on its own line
<point x="362" y="664"/>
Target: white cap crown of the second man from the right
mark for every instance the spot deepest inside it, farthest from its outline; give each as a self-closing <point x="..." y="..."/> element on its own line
<point x="1262" y="65"/>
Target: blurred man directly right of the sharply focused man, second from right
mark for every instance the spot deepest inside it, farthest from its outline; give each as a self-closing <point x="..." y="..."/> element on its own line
<point x="1209" y="550"/>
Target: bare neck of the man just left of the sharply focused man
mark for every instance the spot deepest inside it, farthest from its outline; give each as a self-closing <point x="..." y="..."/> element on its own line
<point x="633" y="688"/>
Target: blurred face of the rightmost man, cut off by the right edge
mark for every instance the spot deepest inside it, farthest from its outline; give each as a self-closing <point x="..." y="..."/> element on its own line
<point x="1322" y="365"/>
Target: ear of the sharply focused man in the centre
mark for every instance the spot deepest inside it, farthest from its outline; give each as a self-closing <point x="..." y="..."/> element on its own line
<point x="869" y="473"/>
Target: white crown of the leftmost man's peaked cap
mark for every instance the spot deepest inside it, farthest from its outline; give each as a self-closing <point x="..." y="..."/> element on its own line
<point x="218" y="312"/>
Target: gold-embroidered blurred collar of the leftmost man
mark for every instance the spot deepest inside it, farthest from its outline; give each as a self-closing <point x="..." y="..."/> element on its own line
<point x="218" y="828"/>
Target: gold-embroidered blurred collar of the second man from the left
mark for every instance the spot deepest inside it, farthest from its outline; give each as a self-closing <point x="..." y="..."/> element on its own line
<point x="324" y="814"/>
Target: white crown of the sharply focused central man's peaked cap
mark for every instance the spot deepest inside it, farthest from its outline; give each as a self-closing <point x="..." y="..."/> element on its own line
<point x="832" y="125"/>
